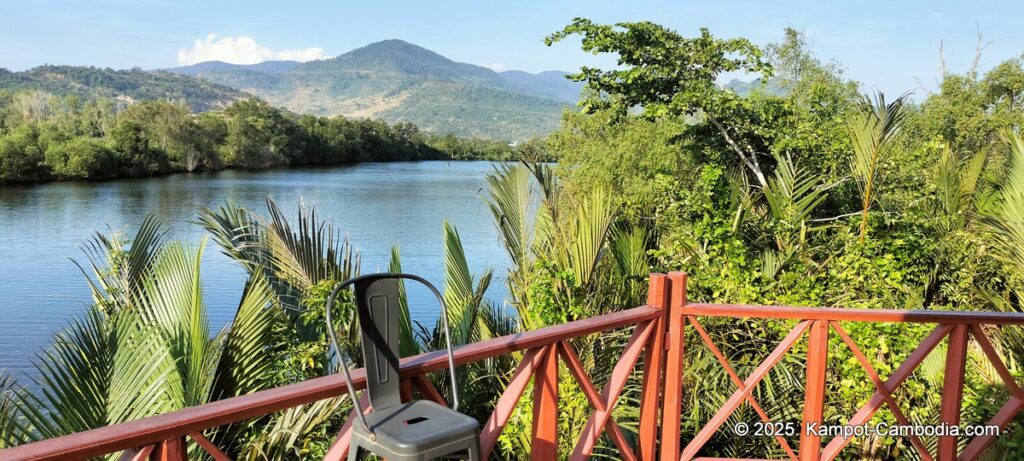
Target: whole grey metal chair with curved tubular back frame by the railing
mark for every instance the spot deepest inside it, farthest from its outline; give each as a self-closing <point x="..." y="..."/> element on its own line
<point x="396" y="431"/>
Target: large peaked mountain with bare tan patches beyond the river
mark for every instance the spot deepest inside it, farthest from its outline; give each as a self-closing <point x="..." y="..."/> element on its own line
<point x="402" y="82"/>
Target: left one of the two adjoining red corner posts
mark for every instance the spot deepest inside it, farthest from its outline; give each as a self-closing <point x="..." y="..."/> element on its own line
<point x="658" y="297"/>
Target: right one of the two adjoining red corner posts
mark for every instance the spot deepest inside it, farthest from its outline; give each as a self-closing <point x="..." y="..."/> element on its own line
<point x="673" y="401"/>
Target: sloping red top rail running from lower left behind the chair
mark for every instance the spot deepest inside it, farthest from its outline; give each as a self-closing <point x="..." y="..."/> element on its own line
<point x="196" y="420"/>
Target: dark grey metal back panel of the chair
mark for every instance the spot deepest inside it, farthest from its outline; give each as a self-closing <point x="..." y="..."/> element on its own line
<point x="377" y="303"/>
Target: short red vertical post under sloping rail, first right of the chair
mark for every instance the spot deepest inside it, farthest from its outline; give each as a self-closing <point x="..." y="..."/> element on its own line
<point x="545" y="441"/>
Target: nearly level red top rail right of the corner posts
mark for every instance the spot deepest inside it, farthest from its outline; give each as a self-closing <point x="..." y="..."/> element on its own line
<point x="852" y="315"/>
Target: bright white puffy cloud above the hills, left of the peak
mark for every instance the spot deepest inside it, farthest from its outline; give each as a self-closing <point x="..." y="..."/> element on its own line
<point x="241" y="51"/>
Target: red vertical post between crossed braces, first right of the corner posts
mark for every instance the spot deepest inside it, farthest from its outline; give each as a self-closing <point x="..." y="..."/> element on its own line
<point x="815" y="399"/>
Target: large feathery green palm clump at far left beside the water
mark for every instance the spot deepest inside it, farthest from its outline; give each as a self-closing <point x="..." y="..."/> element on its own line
<point x="154" y="353"/>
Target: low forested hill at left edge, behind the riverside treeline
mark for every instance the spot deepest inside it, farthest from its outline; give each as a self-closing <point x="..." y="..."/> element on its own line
<point x="133" y="85"/>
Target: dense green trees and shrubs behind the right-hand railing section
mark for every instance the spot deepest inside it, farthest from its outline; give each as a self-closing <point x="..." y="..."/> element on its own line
<point x="813" y="195"/>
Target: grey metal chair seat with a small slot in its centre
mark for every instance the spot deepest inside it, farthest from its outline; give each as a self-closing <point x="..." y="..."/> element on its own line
<point x="419" y="426"/>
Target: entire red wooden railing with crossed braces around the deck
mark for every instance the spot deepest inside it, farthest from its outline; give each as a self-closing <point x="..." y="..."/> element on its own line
<point x="659" y="336"/>
